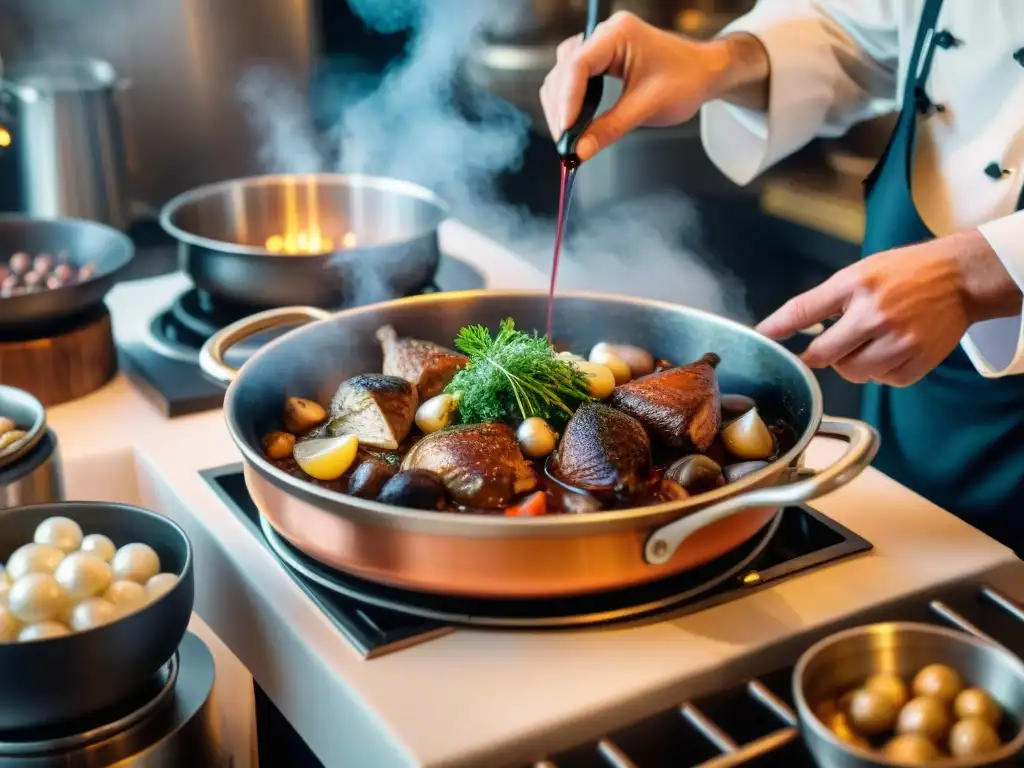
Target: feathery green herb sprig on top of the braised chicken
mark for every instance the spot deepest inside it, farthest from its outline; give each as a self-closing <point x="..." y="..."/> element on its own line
<point x="515" y="376"/>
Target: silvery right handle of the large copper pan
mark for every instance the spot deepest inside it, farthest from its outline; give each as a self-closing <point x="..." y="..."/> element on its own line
<point x="864" y="445"/>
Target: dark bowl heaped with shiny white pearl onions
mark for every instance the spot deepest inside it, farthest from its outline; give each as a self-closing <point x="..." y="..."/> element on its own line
<point x="95" y="601"/>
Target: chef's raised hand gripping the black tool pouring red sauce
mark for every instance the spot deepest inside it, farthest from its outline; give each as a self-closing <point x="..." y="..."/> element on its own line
<point x="666" y="78"/>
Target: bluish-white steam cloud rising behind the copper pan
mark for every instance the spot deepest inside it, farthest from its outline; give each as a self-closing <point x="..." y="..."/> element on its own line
<point x="409" y="126"/>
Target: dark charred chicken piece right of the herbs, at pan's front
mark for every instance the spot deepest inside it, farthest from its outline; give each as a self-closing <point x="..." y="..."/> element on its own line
<point x="603" y="451"/>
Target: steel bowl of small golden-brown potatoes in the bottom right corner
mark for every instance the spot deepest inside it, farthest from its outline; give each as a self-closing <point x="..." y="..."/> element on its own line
<point x="909" y="695"/>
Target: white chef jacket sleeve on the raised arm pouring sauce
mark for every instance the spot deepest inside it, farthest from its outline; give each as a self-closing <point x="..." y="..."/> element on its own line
<point x="834" y="63"/>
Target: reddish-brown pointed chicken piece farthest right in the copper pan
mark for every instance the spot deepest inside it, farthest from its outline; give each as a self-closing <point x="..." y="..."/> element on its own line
<point x="679" y="406"/>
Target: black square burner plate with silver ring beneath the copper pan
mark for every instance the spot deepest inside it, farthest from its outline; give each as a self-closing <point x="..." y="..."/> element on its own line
<point x="379" y="620"/>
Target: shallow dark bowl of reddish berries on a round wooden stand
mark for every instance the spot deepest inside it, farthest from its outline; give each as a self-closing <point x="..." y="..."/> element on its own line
<point x="53" y="270"/>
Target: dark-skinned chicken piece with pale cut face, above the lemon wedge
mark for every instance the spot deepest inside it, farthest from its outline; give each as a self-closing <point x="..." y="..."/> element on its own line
<point x="379" y="410"/>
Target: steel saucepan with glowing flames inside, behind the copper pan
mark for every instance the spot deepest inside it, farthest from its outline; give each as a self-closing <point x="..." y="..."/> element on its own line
<point x="326" y="240"/>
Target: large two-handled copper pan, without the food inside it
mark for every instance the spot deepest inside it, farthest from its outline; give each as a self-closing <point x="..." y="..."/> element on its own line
<point x="496" y="557"/>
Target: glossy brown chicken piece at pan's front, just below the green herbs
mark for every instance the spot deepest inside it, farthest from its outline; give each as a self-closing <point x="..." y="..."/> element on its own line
<point x="480" y="464"/>
